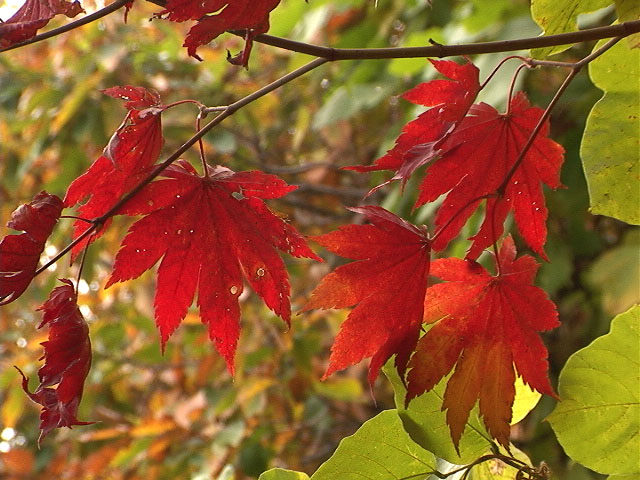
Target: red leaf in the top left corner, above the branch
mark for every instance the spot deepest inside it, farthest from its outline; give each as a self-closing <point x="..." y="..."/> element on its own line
<point x="32" y="16"/>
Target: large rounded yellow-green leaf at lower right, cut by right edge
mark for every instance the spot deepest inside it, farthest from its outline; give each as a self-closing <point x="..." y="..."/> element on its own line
<point x="598" y="419"/>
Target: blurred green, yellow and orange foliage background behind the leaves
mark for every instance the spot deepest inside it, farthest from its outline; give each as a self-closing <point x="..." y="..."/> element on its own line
<point x="181" y="416"/>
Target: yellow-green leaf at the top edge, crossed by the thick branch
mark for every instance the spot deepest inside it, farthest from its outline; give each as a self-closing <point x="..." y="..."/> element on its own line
<point x="560" y="16"/>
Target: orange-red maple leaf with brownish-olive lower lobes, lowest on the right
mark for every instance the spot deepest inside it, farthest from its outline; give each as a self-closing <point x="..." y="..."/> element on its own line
<point x="486" y="326"/>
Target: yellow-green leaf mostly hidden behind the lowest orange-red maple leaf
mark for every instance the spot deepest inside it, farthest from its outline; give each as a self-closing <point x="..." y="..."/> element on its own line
<point x="426" y="423"/>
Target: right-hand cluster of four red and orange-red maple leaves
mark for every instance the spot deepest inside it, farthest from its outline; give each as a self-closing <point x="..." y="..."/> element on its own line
<point x="485" y="326"/>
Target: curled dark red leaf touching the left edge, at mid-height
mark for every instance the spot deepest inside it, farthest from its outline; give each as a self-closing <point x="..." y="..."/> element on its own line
<point x="19" y="254"/>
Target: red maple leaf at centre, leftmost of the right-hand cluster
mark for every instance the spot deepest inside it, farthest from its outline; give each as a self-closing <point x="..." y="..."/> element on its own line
<point x="387" y="284"/>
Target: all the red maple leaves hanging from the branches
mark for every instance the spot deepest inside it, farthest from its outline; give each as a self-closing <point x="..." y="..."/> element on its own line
<point x="212" y="232"/>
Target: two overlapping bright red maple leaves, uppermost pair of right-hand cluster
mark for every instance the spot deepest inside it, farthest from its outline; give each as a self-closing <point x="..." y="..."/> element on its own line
<point x="471" y="150"/>
